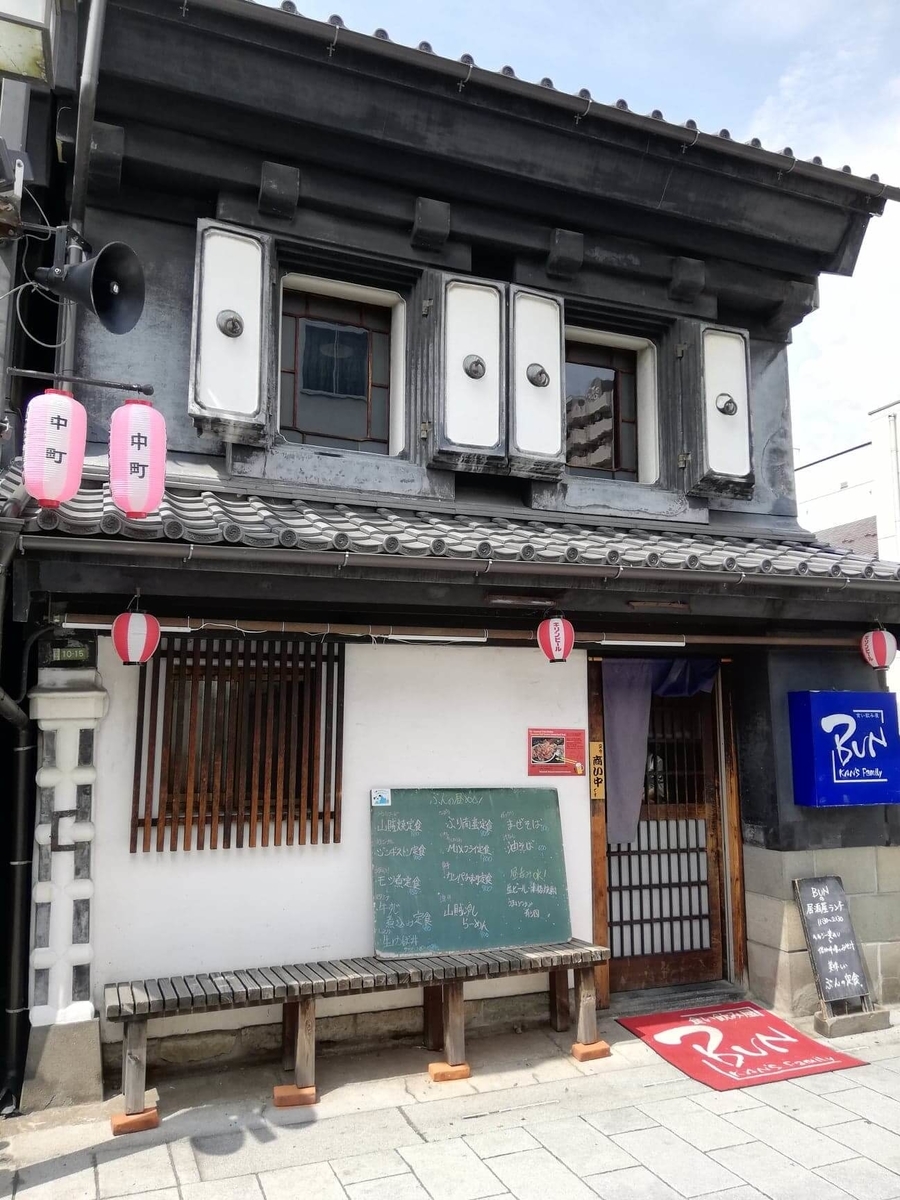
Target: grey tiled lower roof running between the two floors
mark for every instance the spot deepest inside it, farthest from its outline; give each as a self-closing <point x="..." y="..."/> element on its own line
<point x="205" y="517"/>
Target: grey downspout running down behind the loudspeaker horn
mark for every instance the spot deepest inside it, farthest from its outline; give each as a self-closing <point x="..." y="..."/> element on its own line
<point x="87" y="107"/>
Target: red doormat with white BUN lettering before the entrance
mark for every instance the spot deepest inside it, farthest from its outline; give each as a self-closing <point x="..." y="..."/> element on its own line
<point x="735" y="1046"/>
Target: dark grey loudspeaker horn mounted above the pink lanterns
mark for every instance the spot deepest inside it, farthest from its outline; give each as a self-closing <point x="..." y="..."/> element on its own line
<point x="111" y="285"/>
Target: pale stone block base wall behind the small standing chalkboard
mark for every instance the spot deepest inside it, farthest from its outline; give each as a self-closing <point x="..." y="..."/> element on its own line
<point x="778" y="961"/>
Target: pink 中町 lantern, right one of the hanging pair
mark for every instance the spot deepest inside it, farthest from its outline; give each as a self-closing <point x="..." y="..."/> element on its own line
<point x="137" y="458"/>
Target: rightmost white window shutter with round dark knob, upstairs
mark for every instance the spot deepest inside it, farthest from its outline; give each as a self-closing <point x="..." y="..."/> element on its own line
<point x="727" y="452"/>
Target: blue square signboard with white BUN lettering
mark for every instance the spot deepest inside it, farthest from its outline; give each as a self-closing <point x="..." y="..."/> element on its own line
<point x="845" y="747"/>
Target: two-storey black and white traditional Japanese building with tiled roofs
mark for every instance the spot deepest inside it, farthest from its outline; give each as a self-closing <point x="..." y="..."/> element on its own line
<point x="441" y="352"/>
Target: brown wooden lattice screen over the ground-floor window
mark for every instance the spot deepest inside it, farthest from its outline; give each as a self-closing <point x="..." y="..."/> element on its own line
<point x="239" y="742"/>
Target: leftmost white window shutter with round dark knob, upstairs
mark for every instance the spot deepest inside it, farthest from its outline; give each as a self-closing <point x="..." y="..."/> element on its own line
<point x="233" y="333"/>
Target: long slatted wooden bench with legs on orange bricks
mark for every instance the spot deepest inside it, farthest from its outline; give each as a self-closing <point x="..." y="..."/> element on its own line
<point x="298" y="987"/>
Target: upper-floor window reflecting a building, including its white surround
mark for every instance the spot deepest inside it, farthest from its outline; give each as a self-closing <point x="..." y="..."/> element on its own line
<point x="611" y="406"/>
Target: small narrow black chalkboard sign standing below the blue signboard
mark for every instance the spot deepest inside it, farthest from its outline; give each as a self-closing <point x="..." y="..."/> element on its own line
<point x="838" y="963"/>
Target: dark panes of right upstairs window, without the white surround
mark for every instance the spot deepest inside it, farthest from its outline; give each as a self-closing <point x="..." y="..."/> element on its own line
<point x="602" y="410"/>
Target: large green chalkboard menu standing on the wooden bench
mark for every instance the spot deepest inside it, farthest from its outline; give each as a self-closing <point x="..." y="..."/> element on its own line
<point x="467" y="869"/>
